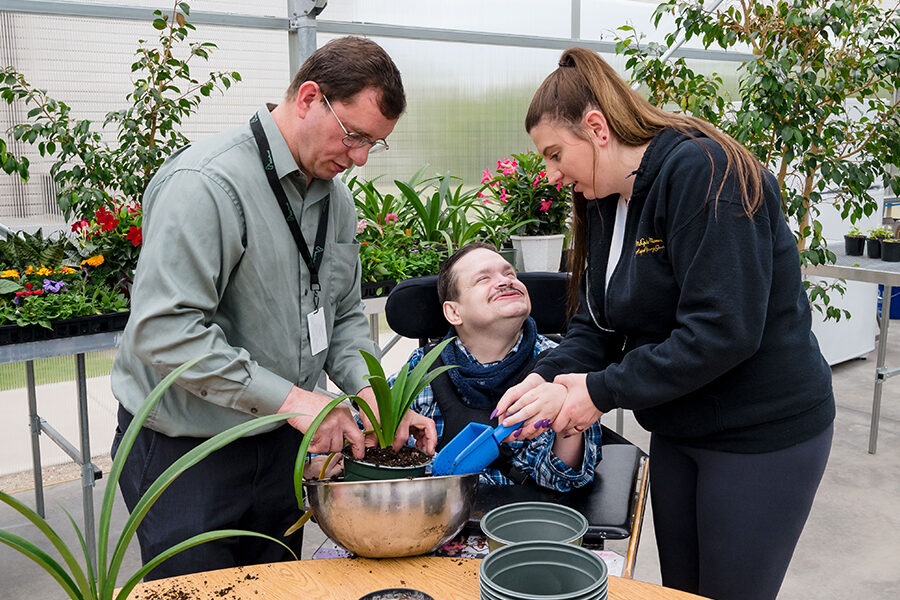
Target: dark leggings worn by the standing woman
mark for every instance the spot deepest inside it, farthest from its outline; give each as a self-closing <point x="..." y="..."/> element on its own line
<point x="727" y="524"/>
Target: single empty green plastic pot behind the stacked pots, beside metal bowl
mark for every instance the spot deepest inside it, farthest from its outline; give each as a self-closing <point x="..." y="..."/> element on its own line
<point x="533" y="521"/>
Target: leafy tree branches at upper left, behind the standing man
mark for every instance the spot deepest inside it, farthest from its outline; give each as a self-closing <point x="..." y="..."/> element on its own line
<point x="90" y="173"/>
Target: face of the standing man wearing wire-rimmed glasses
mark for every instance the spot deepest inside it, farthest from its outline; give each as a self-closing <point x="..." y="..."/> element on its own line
<point x="322" y="153"/>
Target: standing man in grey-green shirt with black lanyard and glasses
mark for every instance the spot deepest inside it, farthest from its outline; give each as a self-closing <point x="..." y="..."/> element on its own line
<point x="249" y="256"/>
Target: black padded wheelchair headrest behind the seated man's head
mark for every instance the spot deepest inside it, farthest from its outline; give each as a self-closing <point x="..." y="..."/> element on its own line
<point x="413" y="309"/>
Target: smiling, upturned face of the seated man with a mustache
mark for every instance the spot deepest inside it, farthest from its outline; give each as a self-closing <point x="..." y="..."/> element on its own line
<point x="487" y="291"/>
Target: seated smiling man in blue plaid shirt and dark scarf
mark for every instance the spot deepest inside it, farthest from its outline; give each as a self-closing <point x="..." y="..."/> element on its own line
<point x="488" y="308"/>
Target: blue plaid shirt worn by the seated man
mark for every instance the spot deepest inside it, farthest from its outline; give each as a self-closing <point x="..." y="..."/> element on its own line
<point x="535" y="457"/>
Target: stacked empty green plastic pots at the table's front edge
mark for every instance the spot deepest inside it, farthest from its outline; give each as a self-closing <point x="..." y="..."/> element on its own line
<point x="543" y="571"/>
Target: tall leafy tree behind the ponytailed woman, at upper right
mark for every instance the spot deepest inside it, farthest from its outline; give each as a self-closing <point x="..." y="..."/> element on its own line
<point x="815" y="105"/>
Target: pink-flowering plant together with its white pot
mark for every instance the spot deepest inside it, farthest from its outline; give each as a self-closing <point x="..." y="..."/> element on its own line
<point x="538" y="209"/>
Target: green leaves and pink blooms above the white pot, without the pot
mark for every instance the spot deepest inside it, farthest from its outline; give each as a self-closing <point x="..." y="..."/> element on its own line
<point x="519" y="187"/>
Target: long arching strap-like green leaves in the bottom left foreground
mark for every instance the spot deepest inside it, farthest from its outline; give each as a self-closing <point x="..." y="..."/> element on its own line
<point x="83" y="583"/>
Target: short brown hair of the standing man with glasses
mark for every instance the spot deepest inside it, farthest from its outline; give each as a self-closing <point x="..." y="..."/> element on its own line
<point x="345" y="66"/>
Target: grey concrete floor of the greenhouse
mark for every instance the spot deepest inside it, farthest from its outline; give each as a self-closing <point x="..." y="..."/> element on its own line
<point x="849" y="549"/>
